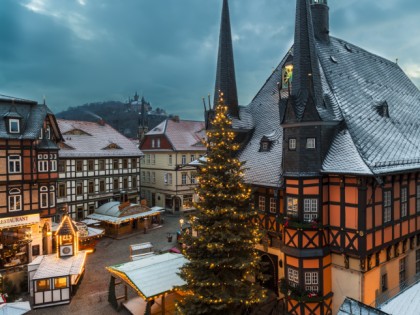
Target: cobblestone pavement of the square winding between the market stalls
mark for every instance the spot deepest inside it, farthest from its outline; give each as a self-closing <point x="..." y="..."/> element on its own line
<point x="92" y="296"/>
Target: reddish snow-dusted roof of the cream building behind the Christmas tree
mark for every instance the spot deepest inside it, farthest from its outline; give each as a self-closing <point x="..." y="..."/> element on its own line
<point x="184" y="135"/>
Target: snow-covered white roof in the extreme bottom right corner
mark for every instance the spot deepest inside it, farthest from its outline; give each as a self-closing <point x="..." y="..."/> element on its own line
<point x="407" y="302"/>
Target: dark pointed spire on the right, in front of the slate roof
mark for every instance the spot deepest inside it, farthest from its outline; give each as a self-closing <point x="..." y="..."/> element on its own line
<point x="305" y="61"/>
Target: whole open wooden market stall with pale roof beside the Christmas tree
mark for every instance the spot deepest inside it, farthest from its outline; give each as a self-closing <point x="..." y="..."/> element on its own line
<point x="152" y="277"/>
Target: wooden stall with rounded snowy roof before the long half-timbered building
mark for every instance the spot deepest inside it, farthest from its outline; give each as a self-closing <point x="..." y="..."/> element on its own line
<point x="120" y="219"/>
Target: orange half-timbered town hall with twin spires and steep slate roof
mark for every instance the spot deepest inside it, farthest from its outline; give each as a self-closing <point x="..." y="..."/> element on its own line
<point x="332" y="150"/>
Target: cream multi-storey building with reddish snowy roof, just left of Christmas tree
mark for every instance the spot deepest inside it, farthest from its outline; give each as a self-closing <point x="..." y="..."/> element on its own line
<point x="166" y="178"/>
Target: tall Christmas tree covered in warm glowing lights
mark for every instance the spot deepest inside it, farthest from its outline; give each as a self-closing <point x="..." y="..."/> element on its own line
<point x="223" y="266"/>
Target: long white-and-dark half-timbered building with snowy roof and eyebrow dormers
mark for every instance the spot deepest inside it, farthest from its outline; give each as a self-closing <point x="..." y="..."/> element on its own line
<point x="97" y="165"/>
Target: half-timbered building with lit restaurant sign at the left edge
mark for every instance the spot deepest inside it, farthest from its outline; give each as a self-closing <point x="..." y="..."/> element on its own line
<point x="28" y="181"/>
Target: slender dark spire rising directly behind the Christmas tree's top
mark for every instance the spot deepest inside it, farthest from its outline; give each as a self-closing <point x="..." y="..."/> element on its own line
<point x="225" y="75"/>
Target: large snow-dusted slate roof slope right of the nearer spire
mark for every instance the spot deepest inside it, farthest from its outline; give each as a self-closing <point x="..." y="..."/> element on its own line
<point x="361" y="82"/>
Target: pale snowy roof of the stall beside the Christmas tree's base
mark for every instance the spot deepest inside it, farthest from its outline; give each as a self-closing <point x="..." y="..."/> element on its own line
<point x="152" y="276"/>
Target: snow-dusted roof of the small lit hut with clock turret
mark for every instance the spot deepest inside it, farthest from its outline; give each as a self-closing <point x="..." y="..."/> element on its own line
<point x="51" y="266"/>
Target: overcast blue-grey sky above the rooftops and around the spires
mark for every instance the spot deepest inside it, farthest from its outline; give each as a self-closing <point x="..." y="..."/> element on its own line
<point x="81" y="51"/>
